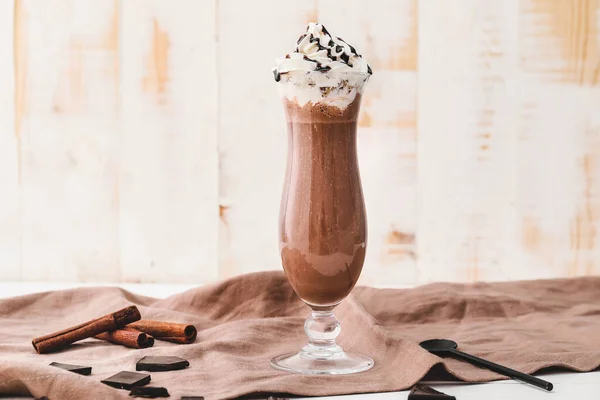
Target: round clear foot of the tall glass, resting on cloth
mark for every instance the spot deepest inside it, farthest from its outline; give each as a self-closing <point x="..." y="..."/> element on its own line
<point x="338" y="364"/>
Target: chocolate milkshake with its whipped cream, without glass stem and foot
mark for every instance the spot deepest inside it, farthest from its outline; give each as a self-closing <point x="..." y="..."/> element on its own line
<point x="323" y="230"/>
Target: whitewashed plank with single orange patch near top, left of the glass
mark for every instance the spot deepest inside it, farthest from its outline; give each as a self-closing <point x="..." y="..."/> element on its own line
<point x="169" y="178"/>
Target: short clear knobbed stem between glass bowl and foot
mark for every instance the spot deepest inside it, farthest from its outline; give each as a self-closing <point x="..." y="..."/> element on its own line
<point x="322" y="328"/>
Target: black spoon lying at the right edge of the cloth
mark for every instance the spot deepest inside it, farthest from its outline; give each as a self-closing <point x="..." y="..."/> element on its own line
<point x="448" y="347"/>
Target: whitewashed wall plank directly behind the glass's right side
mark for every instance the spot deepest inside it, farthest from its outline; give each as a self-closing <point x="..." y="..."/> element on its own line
<point x="387" y="141"/>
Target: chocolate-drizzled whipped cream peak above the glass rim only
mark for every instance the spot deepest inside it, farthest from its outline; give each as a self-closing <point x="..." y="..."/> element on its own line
<point x="318" y="50"/>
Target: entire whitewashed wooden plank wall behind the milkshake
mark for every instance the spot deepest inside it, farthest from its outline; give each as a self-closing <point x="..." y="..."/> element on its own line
<point x="144" y="140"/>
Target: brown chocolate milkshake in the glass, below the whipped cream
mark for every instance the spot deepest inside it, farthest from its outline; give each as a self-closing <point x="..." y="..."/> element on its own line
<point x="323" y="230"/>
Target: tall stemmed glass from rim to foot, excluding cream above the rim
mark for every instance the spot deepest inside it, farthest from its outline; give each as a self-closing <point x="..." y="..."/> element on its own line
<point x="322" y="221"/>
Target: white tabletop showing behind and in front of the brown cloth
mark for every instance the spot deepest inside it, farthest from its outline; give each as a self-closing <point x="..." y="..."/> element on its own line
<point x="567" y="385"/>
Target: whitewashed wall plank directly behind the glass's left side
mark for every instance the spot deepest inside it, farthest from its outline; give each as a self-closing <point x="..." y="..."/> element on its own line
<point x="252" y="139"/>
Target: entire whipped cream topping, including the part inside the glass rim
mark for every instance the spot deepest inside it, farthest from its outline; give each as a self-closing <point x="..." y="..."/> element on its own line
<point x="322" y="69"/>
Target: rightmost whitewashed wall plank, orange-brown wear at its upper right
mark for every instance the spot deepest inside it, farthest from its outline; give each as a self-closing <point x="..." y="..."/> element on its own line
<point x="559" y="138"/>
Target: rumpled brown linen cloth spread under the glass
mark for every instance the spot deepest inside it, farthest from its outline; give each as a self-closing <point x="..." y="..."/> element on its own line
<point x="246" y="321"/>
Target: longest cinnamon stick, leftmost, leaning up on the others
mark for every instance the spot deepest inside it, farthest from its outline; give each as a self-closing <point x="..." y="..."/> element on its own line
<point x="61" y="339"/>
